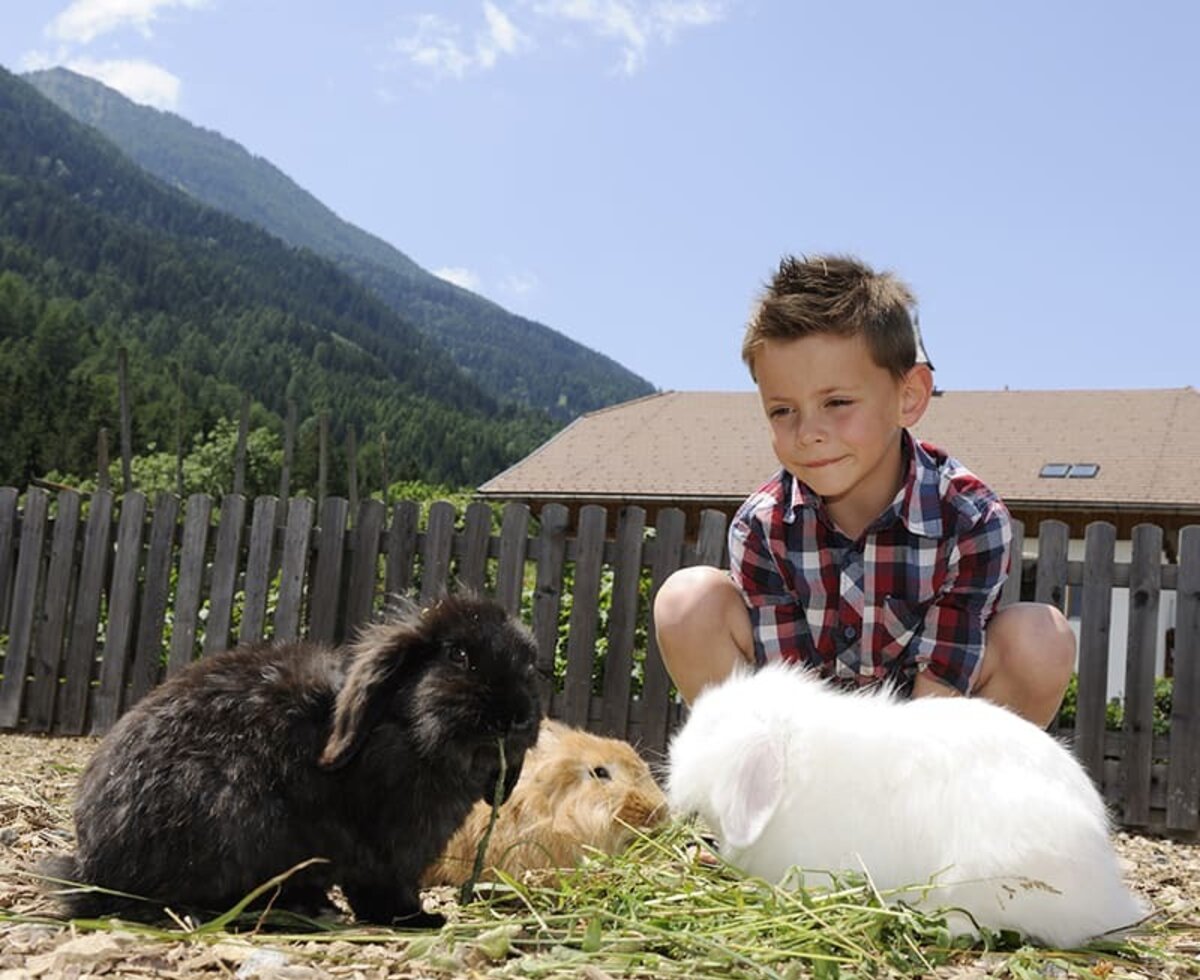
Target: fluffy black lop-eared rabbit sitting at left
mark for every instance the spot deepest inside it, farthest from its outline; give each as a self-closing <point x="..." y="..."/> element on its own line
<point x="256" y="760"/>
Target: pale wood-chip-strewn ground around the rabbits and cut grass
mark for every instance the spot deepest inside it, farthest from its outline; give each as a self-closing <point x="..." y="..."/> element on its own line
<point x="38" y="778"/>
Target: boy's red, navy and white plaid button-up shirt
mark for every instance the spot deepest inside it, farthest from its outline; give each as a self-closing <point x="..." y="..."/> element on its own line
<point x="914" y="593"/>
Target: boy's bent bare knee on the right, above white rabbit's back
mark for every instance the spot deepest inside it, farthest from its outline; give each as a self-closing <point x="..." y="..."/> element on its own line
<point x="1028" y="663"/>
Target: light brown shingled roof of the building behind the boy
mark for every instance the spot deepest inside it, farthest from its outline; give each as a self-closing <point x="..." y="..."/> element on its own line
<point x="713" y="449"/>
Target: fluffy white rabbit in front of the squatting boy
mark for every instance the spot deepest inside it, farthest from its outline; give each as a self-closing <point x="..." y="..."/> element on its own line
<point x="985" y="810"/>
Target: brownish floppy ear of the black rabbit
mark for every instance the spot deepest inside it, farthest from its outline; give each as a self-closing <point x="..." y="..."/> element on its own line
<point x="377" y="656"/>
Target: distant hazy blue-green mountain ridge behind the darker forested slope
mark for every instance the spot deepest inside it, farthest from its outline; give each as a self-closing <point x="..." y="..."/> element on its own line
<point x="511" y="357"/>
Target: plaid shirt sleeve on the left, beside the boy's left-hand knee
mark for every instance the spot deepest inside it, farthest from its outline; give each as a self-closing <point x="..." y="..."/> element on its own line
<point x="777" y="621"/>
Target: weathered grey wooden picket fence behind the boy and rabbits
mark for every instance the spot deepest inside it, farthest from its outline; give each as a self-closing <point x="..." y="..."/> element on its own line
<point x="101" y="598"/>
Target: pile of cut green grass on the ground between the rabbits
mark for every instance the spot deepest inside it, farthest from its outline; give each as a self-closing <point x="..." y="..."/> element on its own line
<point x="659" y="911"/>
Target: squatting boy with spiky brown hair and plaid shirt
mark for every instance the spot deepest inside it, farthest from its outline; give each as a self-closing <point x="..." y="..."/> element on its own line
<point x="871" y="556"/>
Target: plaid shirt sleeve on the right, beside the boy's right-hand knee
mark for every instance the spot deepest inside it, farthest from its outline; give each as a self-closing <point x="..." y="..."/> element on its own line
<point x="950" y="642"/>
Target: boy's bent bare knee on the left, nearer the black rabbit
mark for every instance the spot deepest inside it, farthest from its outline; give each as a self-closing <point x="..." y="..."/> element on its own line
<point x="703" y="628"/>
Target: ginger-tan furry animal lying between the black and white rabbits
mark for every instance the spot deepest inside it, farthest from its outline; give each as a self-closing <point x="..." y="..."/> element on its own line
<point x="577" y="792"/>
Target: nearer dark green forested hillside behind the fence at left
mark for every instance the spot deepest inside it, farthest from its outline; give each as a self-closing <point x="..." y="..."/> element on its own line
<point x="97" y="255"/>
